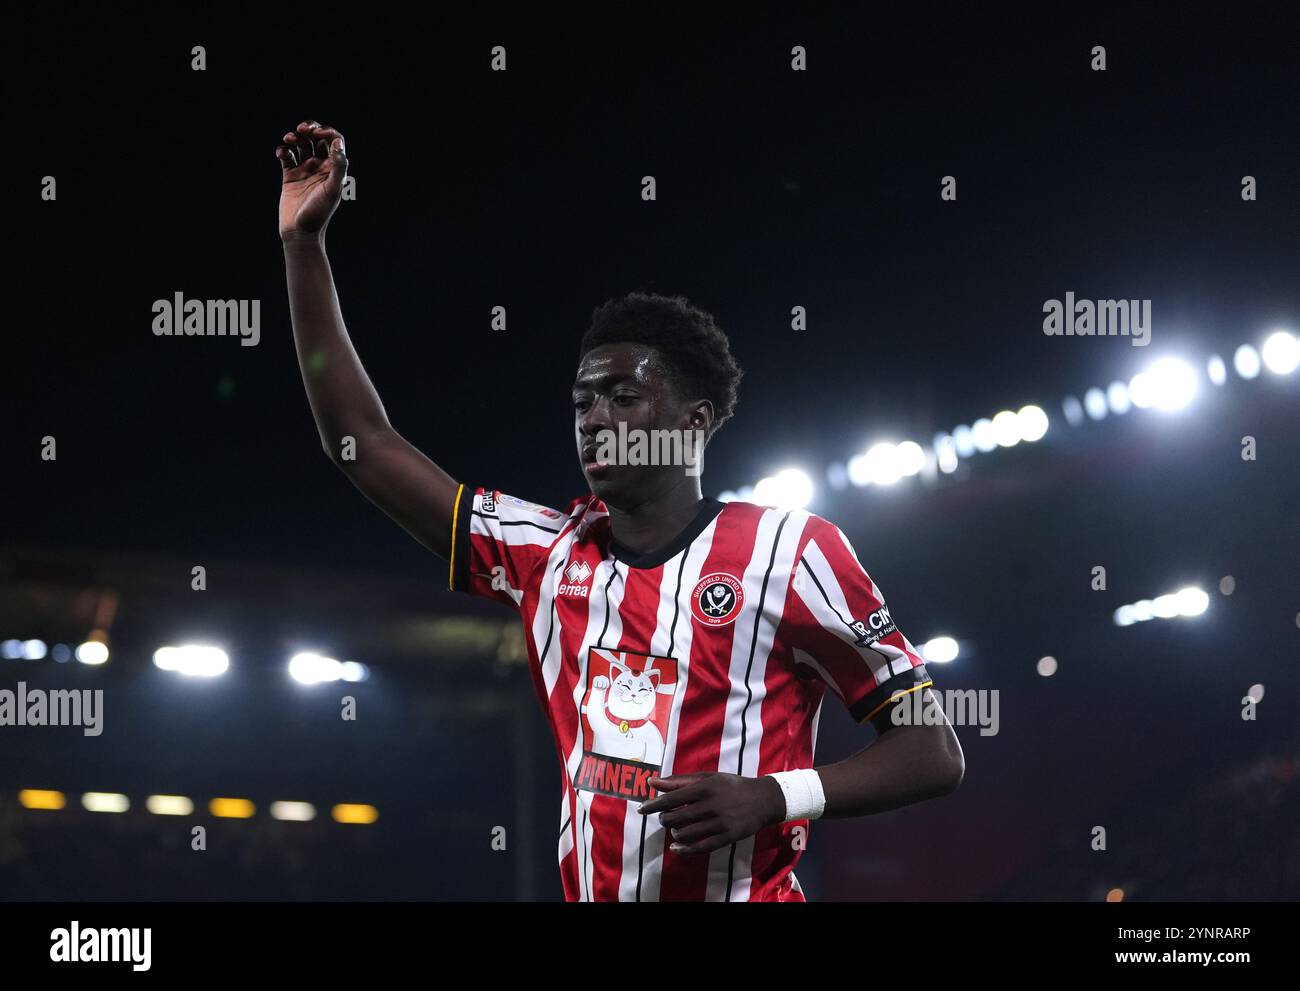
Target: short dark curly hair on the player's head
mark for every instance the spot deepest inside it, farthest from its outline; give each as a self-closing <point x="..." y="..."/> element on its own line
<point x="692" y="345"/>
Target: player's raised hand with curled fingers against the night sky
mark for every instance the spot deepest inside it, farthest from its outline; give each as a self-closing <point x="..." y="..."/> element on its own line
<point x="313" y="170"/>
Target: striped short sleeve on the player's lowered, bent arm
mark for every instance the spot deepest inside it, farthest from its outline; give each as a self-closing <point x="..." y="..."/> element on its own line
<point x="842" y="629"/>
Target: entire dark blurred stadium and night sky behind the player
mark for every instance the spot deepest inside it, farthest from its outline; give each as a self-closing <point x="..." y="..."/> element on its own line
<point x="982" y="469"/>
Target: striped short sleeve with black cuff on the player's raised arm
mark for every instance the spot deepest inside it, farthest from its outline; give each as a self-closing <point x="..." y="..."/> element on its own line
<point x="500" y="543"/>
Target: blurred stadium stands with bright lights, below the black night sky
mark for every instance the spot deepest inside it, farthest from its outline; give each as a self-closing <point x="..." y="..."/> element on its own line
<point x="1120" y="708"/>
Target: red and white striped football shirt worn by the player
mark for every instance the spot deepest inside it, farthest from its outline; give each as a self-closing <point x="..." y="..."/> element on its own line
<point x="710" y="655"/>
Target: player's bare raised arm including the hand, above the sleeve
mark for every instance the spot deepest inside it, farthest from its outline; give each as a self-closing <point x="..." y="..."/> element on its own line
<point x="382" y="464"/>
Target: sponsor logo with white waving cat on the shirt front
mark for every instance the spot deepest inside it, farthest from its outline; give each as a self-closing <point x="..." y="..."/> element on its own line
<point x="625" y="719"/>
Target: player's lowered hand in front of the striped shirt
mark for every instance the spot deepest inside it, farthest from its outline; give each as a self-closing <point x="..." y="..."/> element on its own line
<point x="707" y="812"/>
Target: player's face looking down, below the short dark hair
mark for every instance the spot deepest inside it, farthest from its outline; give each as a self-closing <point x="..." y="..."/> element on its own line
<point x="625" y="384"/>
